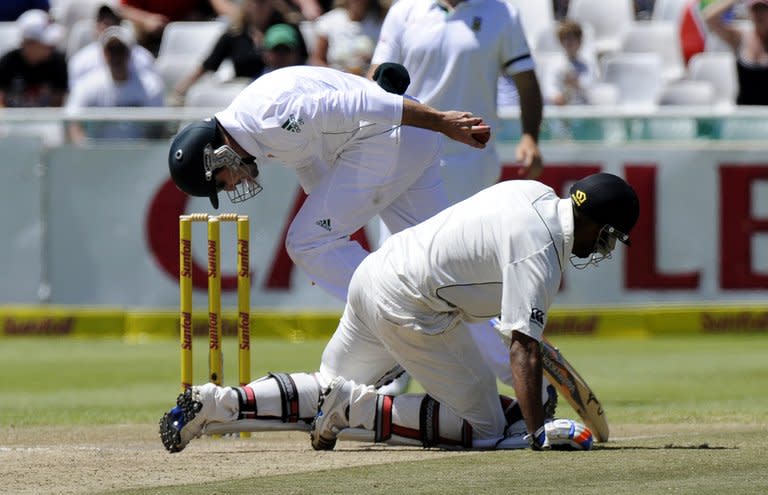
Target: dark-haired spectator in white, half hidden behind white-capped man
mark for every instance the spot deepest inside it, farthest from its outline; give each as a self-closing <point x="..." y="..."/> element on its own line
<point x="91" y="56"/>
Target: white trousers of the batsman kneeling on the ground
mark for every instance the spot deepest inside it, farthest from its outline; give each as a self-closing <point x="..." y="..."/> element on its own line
<point x="449" y="365"/>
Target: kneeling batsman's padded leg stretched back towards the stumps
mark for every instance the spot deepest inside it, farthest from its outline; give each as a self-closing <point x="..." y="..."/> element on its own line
<point x="280" y="400"/>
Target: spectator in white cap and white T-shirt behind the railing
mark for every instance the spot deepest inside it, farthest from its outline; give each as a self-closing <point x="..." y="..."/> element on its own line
<point x="120" y="83"/>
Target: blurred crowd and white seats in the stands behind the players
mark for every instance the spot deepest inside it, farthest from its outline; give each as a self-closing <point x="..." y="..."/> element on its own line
<point x="132" y="53"/>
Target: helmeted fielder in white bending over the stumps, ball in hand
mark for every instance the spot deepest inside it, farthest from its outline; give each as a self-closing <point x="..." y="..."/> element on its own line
<point x="357" y="150"/>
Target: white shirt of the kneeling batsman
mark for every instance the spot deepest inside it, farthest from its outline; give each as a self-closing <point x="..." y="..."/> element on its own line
<point x="501" y="251"/>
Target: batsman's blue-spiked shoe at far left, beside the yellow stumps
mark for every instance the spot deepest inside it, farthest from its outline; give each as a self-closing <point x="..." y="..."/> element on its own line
<point x="186" y="421"/>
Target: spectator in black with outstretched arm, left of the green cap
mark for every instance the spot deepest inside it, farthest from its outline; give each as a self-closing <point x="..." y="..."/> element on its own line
<point x="243" y="44"/>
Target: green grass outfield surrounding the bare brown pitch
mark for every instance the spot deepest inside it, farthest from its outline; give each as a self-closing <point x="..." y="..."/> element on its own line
<point x="701" y="401"/>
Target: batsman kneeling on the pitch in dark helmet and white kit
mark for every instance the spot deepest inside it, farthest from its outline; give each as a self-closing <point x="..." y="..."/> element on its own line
<point x="410" y="307"/>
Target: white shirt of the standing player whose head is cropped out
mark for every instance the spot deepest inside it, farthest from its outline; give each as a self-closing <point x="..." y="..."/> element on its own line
<point x="455" y="58"/>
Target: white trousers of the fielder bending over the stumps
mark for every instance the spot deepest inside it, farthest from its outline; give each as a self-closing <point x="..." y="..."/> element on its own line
<point x="394" y="174"/>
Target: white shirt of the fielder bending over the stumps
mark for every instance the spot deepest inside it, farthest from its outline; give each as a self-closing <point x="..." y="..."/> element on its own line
<point x="302" y="114"/>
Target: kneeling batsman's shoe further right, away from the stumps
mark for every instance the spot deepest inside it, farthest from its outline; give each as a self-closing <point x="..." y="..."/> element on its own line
<point x="332" y="414"/>
